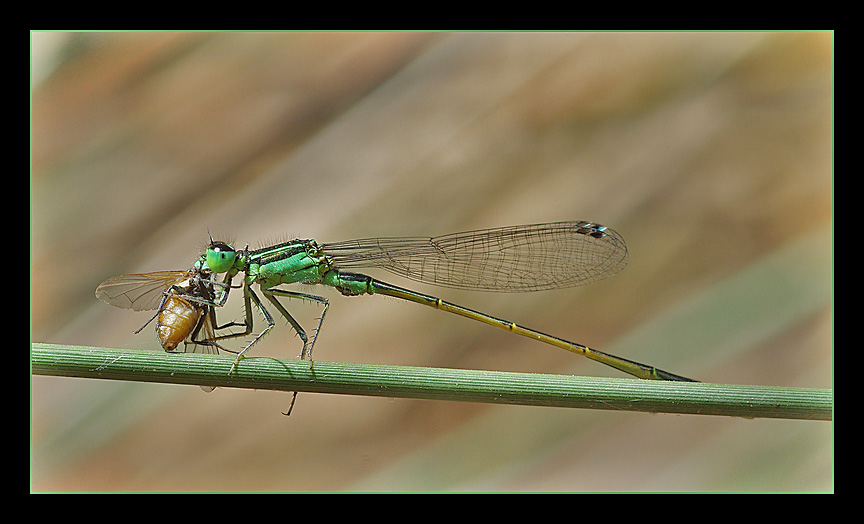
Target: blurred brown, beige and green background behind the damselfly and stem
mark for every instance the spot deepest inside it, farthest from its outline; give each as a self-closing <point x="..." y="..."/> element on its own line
<point x="710" y="153"/>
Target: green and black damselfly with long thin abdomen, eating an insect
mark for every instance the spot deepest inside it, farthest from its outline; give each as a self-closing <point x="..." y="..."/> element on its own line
<point x="509" y="259"/>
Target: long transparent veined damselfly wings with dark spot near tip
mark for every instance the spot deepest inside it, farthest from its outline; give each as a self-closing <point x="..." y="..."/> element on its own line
<point x="517" y="258"/>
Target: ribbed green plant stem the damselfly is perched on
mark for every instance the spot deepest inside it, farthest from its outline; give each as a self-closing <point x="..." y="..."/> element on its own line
<point x="434" y="383"/>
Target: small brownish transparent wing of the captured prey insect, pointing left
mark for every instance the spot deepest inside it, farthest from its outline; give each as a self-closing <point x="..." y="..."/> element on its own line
<point x="139" y="292"/>
